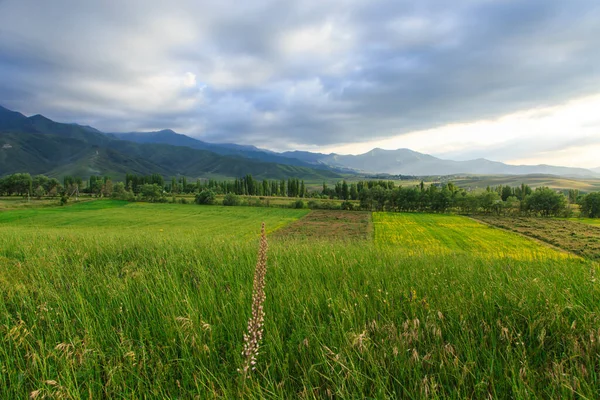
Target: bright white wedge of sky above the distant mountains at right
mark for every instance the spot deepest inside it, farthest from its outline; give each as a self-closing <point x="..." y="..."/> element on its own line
<point x="567" y="134"/>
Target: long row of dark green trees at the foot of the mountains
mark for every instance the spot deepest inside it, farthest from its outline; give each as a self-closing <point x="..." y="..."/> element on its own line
<point x="373" y="195"/>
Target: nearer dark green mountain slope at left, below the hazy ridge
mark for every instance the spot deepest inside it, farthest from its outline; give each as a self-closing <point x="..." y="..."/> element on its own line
<point x="41" y="146"/>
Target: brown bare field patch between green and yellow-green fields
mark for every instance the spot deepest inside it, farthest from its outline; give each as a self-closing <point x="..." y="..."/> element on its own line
<point x="330" y="224"/>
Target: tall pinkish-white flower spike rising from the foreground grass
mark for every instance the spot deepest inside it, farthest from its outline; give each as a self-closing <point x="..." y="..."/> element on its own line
<point x="254" y="336"/>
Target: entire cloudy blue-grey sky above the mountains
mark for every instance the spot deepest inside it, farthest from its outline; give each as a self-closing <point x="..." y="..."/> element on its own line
<point x="513" y="81"/>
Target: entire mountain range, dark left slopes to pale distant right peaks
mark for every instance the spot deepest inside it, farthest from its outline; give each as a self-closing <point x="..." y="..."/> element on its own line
<point x="39" y="145"/>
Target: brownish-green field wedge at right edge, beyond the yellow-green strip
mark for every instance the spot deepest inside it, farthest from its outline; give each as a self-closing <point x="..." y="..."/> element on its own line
<point x="577" y="238"/>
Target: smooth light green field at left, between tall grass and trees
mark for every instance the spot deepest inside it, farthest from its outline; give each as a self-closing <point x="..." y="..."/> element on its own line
<point x="146" y="218"/>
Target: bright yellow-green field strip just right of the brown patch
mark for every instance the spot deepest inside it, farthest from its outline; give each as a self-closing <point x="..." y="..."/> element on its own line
<point x="451" y="234"/>
